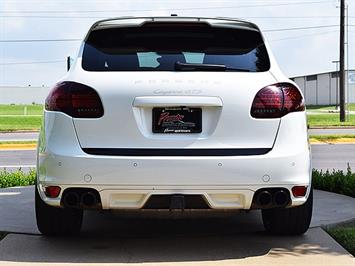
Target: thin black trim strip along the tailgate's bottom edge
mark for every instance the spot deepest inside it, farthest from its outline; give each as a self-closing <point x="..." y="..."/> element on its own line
<point x="175" y="152"/>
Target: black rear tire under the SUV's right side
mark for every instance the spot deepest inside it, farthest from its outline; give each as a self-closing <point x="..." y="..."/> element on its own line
<point x="289" y="221"/>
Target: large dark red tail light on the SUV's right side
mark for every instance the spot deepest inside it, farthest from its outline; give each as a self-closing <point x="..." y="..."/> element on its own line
<point x="277" y="100"/>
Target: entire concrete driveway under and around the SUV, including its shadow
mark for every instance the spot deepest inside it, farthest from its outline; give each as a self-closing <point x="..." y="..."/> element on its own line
<point x="110" y="238"/>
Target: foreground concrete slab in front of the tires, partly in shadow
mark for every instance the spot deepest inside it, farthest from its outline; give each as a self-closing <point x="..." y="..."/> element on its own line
<point x="185" y="248"/>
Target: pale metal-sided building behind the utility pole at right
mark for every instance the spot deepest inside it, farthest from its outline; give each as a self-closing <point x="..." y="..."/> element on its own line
<point x="323" y="88"/>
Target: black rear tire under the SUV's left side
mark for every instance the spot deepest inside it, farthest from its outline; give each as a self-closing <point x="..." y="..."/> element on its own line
<point x="52" y="221"/>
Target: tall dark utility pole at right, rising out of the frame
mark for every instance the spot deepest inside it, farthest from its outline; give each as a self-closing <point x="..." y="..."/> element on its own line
<point x="342" y="62"/>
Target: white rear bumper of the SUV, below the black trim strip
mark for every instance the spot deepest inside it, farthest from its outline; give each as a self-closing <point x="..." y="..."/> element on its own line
<point x="127" y="182"/>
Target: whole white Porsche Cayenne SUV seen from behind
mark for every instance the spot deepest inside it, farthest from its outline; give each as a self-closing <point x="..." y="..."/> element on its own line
<point x="174" y="113"/>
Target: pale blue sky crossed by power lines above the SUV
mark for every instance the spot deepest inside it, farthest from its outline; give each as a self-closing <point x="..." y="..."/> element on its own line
<point x="298" y="51"/>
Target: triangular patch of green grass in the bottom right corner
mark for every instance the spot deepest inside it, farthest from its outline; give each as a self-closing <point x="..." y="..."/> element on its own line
<point x="345" y="236"/>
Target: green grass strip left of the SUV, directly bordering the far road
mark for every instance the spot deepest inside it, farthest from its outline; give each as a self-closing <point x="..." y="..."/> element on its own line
<point x="12" y="123"/>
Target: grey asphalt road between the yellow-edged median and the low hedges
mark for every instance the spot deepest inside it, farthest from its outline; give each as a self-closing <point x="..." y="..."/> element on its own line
<point x="324" y="157"/>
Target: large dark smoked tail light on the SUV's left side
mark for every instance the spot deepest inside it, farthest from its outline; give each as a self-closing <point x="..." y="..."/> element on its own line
<point x="75" y="99"/>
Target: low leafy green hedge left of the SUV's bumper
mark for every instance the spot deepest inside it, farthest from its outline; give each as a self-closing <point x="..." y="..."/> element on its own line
<point x="17" y="178"/>
